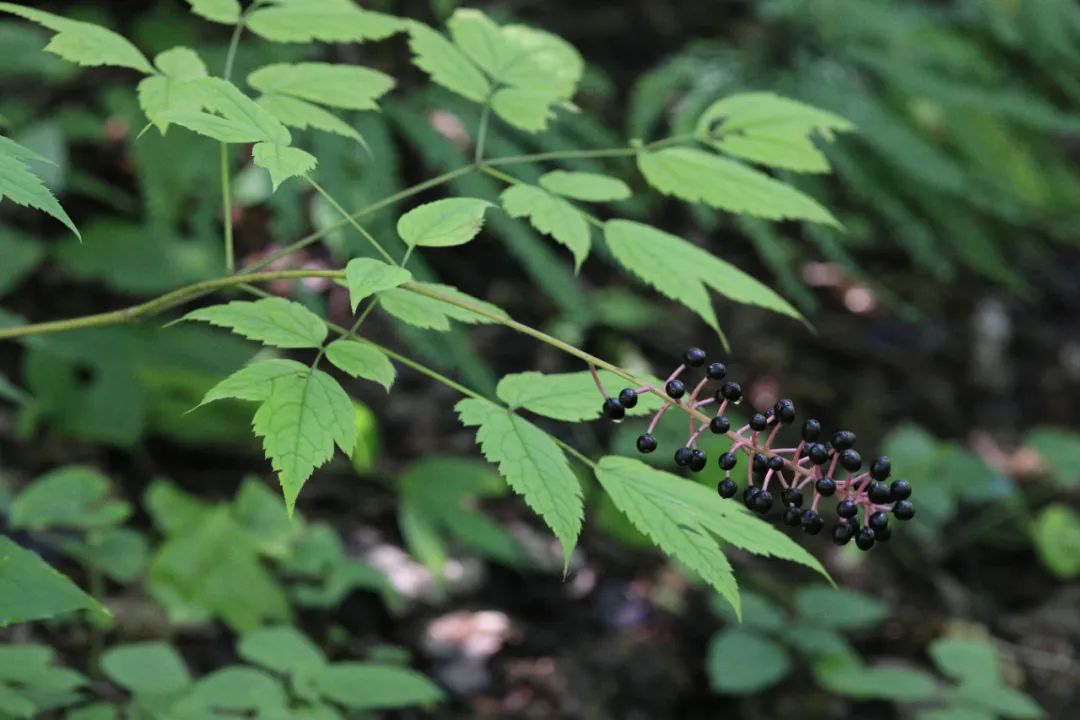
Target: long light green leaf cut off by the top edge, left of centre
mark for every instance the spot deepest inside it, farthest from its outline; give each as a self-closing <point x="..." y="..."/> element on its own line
<point x="323" y="21"/>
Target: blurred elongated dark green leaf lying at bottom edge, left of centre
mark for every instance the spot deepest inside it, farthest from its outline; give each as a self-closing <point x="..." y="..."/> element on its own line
<point x="372" y="687"/>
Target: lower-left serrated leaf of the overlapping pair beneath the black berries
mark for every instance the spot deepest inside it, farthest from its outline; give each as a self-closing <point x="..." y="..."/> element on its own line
<point x="640" y="493"/>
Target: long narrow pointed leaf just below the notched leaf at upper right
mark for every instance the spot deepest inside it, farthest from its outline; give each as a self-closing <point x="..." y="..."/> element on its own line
<point x="698" y="176"/>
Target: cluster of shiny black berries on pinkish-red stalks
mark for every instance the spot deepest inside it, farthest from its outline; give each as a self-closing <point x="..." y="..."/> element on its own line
<point x="828" y="469"/>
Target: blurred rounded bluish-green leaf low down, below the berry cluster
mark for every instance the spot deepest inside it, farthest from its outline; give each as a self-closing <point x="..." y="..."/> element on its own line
<point x="742" y="663"/>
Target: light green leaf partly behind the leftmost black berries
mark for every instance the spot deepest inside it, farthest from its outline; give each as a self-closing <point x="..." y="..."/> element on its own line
<point x="569" y="397"/>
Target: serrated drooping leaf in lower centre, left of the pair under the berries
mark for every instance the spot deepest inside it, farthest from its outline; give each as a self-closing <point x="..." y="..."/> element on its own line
<point x="534" y="466"/>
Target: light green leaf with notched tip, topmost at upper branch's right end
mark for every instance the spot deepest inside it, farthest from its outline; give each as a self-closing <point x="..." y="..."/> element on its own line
<point x="771" y="130"/>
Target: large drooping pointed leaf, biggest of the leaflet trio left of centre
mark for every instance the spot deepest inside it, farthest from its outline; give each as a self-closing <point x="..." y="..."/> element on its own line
<point x="300" y="425"/>
